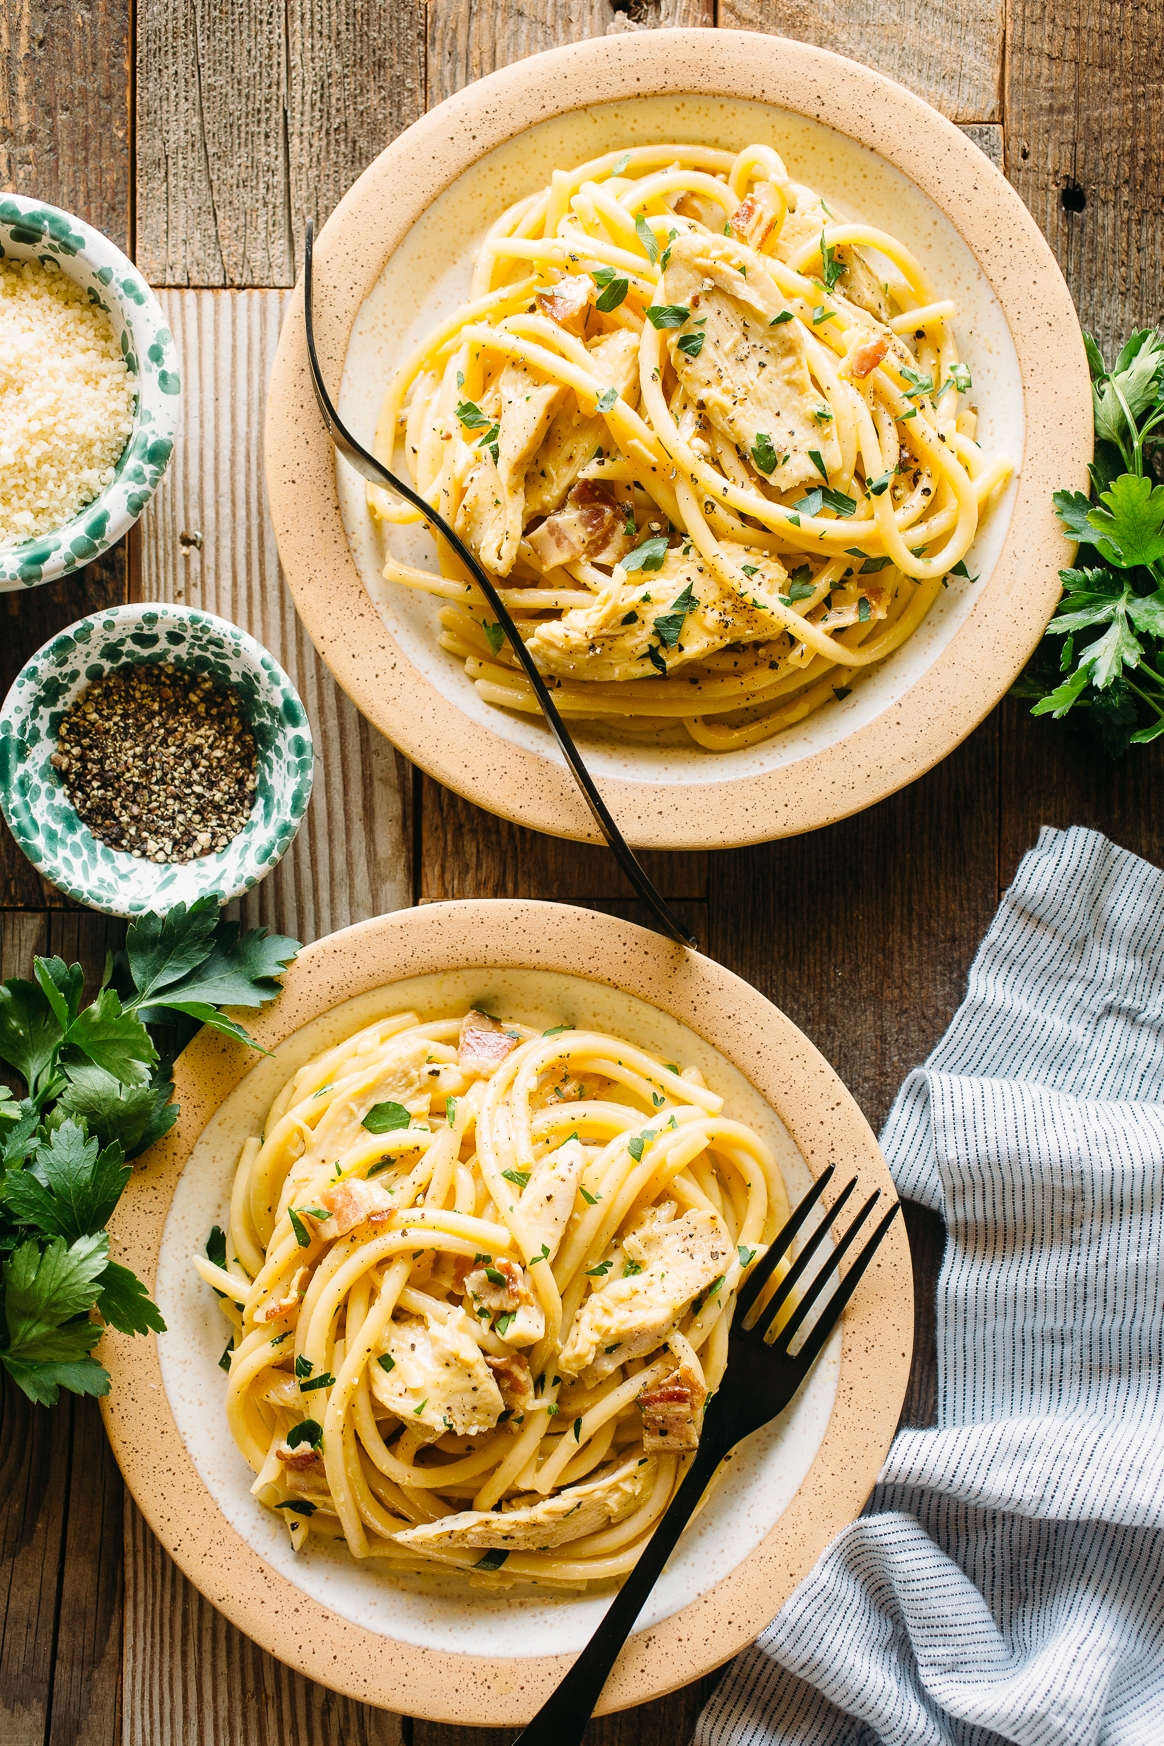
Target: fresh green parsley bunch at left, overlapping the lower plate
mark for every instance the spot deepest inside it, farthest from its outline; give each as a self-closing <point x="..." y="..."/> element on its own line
<point x="99" y="1094"/>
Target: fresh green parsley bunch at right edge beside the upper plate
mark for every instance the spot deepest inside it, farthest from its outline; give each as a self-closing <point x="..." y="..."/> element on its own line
<point x="1113" y="612"/>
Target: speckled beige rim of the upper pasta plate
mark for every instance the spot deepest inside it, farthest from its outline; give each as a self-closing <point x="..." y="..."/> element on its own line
<point x="982" y="661"/>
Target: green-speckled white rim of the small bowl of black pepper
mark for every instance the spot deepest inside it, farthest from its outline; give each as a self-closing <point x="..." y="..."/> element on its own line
<point x="45" y="821"/>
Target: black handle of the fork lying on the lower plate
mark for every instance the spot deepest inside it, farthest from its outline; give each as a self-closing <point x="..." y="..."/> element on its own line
<point x="566" y="1714"/>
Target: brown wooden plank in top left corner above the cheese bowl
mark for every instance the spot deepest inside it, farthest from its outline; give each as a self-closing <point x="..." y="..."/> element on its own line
<point x="65" y="107"/>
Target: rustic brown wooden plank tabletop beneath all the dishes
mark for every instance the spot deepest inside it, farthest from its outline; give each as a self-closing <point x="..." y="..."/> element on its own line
<point x="202" y="135"/>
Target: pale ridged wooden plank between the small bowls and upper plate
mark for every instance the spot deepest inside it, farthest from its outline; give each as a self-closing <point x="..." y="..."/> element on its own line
<point x="350" y="858"/>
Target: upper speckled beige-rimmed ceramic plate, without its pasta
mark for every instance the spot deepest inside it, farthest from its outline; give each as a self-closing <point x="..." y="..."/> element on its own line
<point x="394" y="263"/>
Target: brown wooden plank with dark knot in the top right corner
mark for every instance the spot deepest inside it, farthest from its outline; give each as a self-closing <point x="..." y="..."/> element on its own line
<point x="1085" y="93"/>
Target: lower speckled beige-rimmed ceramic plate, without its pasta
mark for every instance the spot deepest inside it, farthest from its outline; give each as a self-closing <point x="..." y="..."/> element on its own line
<point x="427" y="1646"/>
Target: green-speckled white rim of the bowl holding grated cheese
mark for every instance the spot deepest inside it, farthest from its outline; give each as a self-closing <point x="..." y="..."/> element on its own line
<point x="36" y="231"/>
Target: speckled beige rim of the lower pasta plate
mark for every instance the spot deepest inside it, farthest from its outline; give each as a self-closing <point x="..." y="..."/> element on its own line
<point x="877" y="1345"/>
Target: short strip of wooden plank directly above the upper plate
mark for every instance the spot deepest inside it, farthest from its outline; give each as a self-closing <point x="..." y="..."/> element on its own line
<point x="467" y="39"/>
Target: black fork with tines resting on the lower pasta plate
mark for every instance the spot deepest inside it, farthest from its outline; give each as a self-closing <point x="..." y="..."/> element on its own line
<point x="762" y="1378"/>
